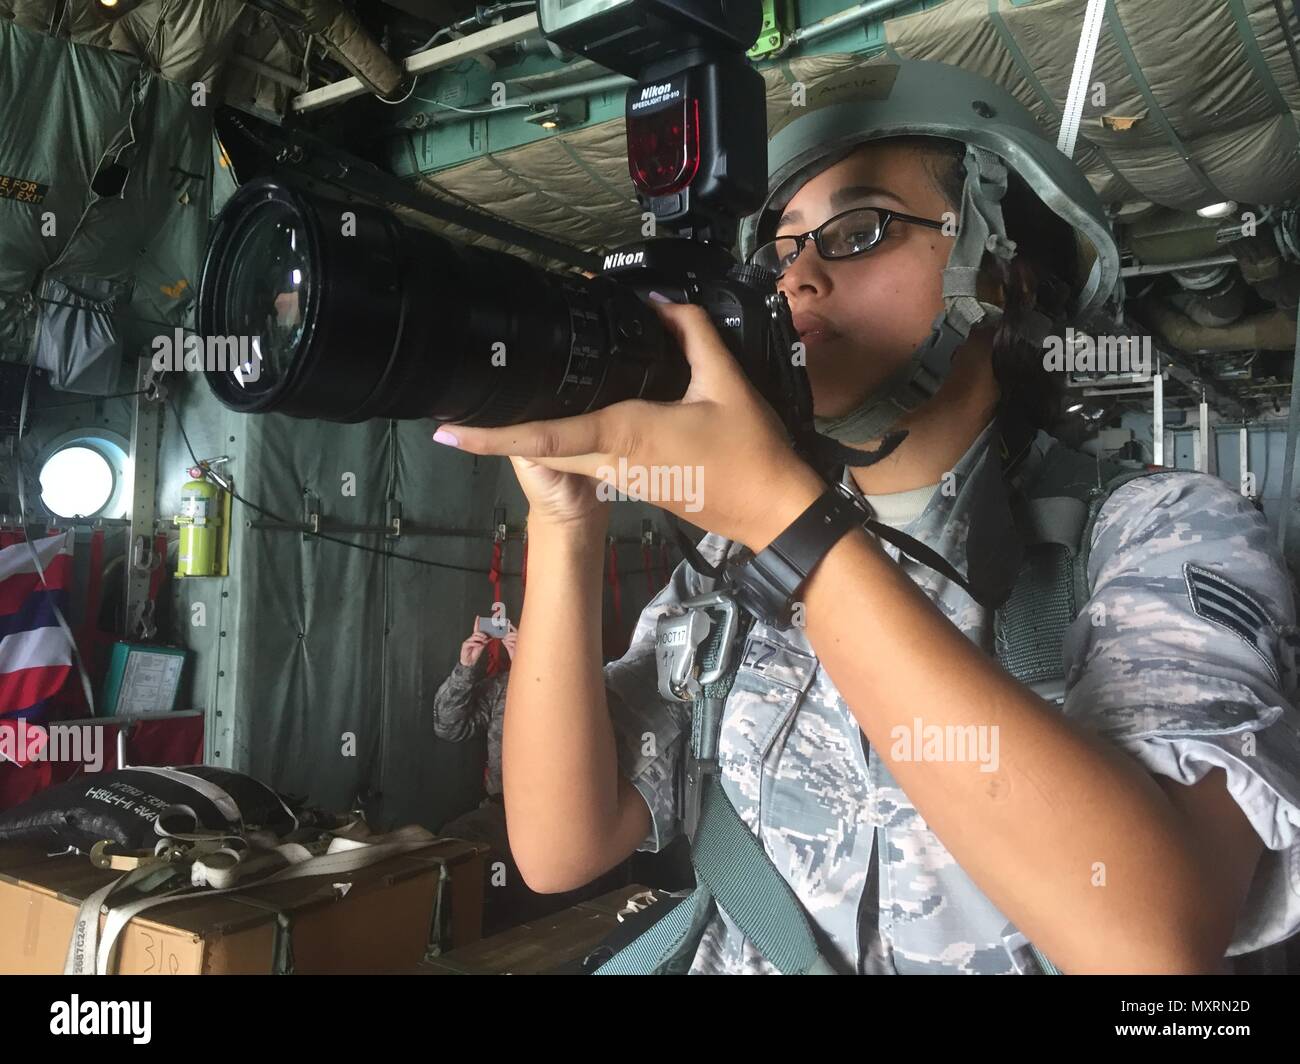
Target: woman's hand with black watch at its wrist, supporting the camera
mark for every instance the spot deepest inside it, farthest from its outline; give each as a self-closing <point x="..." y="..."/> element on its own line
<point x="720" y="457"/>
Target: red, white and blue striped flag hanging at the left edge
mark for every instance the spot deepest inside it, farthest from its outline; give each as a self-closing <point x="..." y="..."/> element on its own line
<point x="36" y="655"/>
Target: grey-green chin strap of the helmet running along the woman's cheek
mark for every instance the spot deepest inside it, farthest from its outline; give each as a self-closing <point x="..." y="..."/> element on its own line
<point x="982" y="231"/>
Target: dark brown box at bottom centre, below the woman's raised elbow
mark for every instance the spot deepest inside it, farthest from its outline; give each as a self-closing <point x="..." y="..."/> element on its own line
<point x="539" y="946"/>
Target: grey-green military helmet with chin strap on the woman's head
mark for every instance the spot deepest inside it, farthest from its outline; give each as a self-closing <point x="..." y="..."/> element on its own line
<point x="918" y="98"/>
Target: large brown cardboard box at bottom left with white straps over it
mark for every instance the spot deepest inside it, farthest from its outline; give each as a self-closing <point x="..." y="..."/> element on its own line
<point x="378" y="919"/>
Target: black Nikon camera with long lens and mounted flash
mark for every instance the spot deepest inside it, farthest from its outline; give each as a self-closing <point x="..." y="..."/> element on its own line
<point x="352" y="314"/>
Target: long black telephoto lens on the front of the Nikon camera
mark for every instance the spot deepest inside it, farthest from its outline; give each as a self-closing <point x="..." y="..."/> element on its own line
<point x="344" y="313"/>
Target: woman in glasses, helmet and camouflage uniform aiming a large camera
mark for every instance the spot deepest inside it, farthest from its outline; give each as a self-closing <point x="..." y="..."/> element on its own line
<point x="1145" y="825"/>
